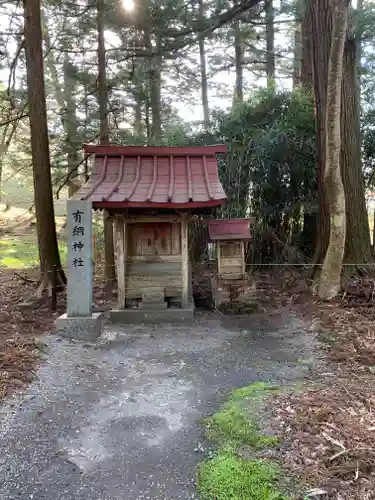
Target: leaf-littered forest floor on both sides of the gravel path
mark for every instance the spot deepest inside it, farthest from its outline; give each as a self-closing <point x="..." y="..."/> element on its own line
<point x="327" y="427"/>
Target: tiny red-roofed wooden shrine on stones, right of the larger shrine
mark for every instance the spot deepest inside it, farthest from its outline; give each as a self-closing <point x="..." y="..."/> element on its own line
<point x="231" y="286"/>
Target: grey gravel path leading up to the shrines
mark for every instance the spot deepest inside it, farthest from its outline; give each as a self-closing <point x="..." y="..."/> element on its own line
<point x="120" y="420"/>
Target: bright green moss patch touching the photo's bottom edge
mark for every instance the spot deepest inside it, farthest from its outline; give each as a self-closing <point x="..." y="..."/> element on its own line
<point x="229" y="477"/>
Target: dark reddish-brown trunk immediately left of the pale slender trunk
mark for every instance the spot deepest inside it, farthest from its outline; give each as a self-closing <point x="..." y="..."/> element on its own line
<point x="320" y="31"/>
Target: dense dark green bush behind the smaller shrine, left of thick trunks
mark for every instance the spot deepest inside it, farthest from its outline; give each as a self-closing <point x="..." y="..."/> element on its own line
<point x="272" y="141"/>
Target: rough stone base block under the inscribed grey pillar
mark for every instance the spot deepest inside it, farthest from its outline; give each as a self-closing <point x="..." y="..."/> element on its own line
<point x="80" y="328"/>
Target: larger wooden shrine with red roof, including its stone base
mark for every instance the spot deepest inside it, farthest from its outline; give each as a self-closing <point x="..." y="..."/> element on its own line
<point x="151" y="192"/>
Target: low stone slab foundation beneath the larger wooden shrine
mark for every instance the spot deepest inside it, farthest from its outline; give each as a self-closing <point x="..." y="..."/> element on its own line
<point x="146" y="316"/>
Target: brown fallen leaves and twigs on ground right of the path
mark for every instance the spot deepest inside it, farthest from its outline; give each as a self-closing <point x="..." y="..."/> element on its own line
<point x="329" y="426"/>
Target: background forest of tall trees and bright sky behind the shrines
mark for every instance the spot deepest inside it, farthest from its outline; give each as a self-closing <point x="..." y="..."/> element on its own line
<point x="267" y="78"/>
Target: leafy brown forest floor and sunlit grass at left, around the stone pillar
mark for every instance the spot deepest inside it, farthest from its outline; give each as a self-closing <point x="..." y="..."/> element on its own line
<point x="22" y="318"/>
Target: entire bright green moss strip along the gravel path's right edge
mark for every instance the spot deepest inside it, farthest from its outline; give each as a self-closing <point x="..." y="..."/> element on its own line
<point x="229" y="476"/>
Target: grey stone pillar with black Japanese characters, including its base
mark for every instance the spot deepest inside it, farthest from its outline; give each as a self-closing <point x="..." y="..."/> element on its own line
<point x="79" y="322"/>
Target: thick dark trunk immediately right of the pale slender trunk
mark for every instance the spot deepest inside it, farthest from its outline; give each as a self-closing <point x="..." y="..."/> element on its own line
<point x="358" y="244"/>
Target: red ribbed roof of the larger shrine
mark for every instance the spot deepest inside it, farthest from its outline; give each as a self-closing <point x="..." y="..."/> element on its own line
<point x="131" y="176"/>
